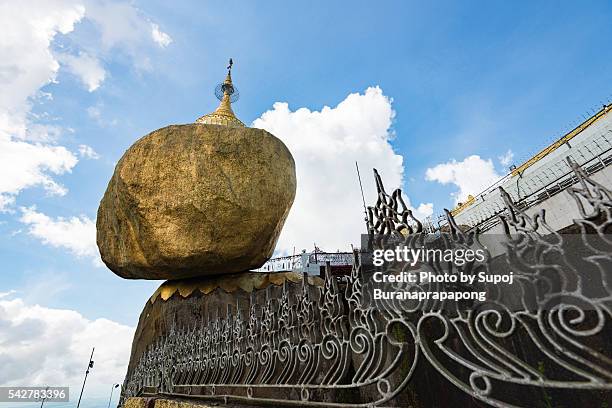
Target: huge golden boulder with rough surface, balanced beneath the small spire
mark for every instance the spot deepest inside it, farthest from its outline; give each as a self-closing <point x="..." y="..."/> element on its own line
<point x="193" y="200"/>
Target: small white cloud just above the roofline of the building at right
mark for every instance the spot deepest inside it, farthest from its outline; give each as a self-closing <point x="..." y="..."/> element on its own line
<point x="472" y="175"/>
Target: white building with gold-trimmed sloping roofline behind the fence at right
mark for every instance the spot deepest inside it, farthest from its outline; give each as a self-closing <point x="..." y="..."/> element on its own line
<point x="541" y="181"/>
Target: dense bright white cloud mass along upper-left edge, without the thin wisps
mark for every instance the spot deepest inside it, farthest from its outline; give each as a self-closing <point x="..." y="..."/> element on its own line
<point x="26" y="65"/>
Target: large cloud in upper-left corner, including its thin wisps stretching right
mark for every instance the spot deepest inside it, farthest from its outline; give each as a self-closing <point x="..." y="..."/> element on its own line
<point x="29" y="152"/>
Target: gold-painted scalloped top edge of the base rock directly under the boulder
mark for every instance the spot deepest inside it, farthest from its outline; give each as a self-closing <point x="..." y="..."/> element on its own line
<point x="247" y="281"/>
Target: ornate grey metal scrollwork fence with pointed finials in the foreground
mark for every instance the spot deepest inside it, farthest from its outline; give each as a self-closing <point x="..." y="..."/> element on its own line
<point x="336" y="345"/>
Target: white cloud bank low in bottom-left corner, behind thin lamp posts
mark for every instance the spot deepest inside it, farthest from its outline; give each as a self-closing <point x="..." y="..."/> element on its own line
<point x="44" y="346"/>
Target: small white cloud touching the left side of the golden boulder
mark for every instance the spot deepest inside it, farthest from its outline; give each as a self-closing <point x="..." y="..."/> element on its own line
<point x="77" y="234"/>
